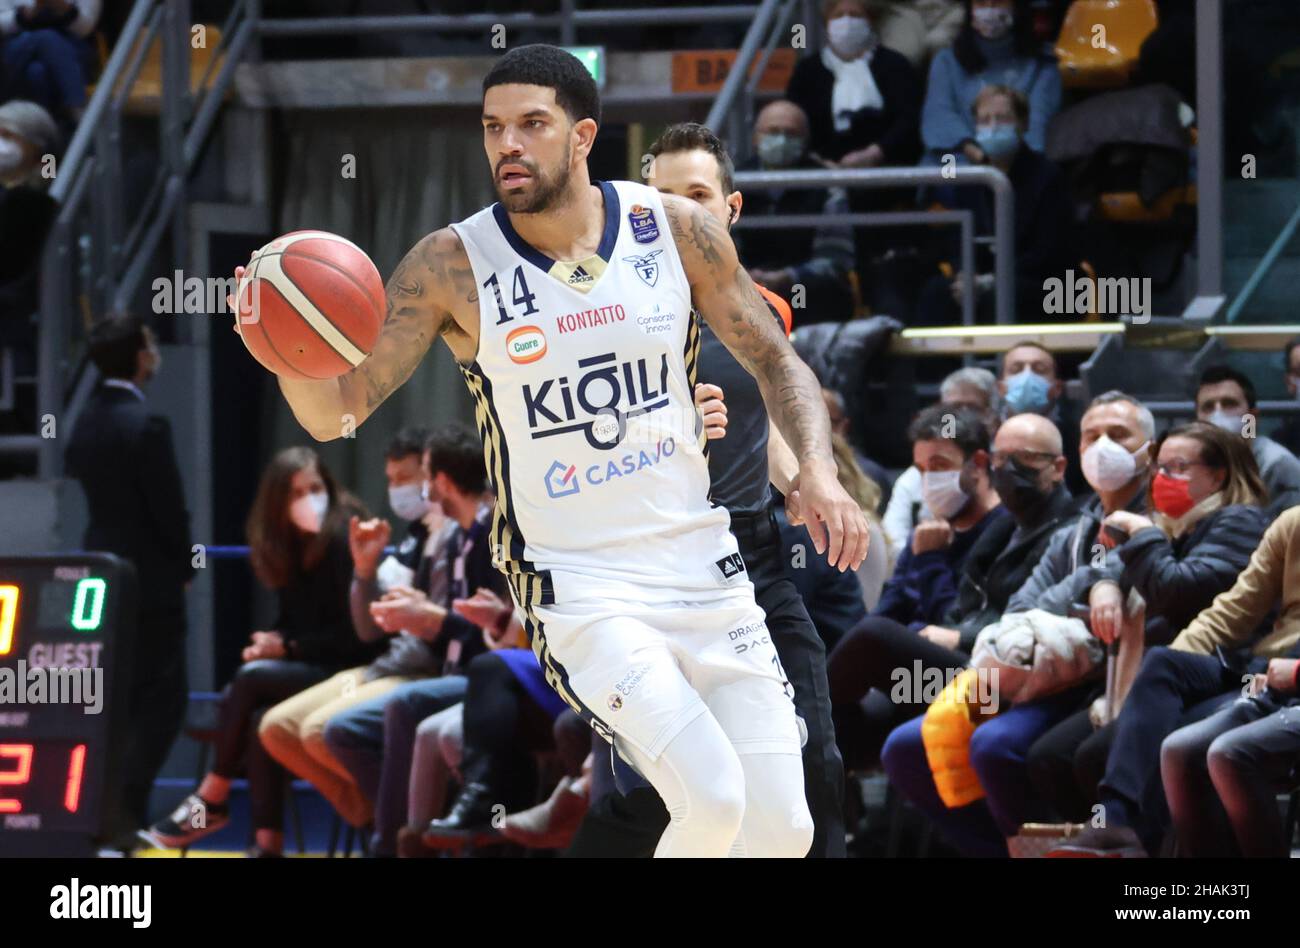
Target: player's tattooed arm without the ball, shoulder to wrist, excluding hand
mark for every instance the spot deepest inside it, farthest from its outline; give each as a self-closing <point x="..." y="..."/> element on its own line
<point x="729" y="301"/>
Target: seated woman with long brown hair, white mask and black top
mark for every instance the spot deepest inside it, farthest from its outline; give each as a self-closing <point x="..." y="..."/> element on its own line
<point x="298" y="547"/>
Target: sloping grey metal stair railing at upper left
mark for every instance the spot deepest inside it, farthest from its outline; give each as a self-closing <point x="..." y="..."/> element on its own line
<point x="97" y="254"/>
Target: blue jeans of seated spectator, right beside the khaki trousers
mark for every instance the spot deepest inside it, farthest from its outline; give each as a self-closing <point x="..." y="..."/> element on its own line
<point x="375" y="742"/>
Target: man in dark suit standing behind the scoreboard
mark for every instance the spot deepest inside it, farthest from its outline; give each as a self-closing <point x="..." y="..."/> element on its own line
<point x="127" y="465"/>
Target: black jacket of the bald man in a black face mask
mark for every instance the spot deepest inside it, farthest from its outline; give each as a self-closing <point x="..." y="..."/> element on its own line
<point x="995" y="569"/>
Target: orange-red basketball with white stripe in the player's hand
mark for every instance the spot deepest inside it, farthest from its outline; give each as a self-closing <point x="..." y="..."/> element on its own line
<point x="311" y="306"/>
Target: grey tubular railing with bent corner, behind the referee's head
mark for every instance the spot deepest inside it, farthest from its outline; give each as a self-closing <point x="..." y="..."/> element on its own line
<point x="983" y="176"/>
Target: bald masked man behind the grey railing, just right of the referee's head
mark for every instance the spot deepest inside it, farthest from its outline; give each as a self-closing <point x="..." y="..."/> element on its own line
<point x="818" y="259"/>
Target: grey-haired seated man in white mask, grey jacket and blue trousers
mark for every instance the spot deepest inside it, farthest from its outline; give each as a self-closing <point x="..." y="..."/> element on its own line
<point x="1116" y="441"/>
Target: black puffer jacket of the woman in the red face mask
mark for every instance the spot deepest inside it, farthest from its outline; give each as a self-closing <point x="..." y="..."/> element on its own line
<point x="1180" y="578"/>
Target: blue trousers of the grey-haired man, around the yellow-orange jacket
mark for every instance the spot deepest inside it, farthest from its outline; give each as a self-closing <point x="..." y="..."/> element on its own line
<point x="998" y="752"/>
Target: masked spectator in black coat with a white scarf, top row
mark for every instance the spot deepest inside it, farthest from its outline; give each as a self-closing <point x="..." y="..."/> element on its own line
<point x="863" y="99"/>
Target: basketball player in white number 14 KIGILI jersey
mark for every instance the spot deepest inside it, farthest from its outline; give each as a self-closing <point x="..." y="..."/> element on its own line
<point x="569" y="309"/>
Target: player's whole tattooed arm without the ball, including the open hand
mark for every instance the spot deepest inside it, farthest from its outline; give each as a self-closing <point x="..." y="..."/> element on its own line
<point x="730" y="302"/>
